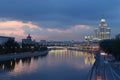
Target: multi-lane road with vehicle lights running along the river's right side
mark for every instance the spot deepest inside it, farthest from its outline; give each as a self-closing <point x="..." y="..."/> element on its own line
<point x="103" y="69"/>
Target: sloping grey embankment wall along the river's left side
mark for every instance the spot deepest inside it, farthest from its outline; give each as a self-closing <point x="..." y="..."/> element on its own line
<point x="22" y="55"/>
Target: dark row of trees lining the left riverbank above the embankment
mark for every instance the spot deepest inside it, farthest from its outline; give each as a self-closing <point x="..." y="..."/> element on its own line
<point x="12" y="46"/>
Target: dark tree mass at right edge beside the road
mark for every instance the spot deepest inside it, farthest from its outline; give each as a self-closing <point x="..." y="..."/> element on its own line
<point x="112" y="47"/>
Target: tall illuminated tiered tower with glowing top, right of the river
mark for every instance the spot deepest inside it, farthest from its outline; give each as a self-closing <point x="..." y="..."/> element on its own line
<point x="103" y="32"/>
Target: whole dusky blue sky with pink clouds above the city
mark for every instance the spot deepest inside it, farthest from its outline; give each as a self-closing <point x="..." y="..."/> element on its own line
<point x="57" y="19"/>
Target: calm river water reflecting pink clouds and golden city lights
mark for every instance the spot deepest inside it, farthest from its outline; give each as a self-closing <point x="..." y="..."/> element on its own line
<point x="57" y="65"/>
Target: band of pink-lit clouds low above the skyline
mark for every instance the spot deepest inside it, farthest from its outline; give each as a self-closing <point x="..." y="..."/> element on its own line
<point x="21" y="29"/>
